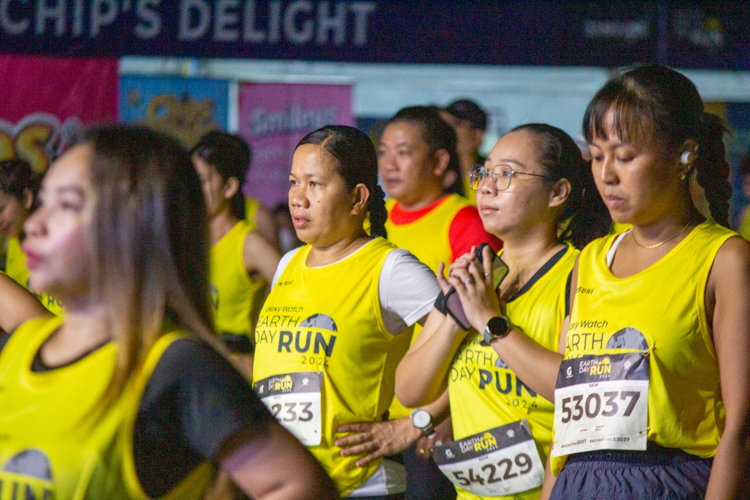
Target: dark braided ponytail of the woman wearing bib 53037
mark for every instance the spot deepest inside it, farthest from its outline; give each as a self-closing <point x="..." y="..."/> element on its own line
<point x="712" y="167"/>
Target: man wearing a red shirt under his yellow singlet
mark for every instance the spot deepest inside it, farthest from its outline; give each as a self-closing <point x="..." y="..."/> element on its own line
<point x="415" y="150"/>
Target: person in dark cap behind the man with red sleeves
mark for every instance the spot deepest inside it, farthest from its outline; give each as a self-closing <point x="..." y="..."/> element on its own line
<point x="469" y="121"/>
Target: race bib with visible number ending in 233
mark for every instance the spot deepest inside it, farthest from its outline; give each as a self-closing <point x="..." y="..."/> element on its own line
<point x="294" y="399"/>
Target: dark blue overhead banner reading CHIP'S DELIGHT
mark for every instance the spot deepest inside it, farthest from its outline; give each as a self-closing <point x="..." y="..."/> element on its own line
<point x="534" y="32"/>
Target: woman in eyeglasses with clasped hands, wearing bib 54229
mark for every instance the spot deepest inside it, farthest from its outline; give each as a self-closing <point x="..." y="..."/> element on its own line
<point x="534" y="192"/>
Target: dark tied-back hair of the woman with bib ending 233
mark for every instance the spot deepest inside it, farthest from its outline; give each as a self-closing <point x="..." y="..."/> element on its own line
<point x="357" y="164"/>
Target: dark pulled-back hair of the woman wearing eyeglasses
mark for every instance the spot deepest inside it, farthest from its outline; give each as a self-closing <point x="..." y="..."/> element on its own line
<point x="584" y="216"/>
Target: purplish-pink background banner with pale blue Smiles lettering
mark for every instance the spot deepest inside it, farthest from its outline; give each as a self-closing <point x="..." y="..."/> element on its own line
<point x="273" y="117"/>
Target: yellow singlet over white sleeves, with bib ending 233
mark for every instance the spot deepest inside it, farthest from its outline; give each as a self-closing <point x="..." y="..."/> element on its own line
<point x="324" y="358"/>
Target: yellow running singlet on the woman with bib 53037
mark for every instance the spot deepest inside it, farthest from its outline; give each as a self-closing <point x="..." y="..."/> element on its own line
<point x="657" y="317"/>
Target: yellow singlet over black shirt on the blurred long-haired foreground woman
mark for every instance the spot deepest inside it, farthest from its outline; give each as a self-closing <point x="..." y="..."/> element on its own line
<point x="49" y="448"/>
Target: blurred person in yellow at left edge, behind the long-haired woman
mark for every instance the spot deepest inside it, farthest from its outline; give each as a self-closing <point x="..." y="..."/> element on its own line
<point x="19" y="186"/>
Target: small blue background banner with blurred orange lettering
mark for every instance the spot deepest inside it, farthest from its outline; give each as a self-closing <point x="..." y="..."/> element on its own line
<point x="184" y="108"/>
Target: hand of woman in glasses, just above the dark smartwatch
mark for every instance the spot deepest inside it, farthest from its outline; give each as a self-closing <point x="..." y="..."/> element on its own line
<point x="475" y="287"/>
